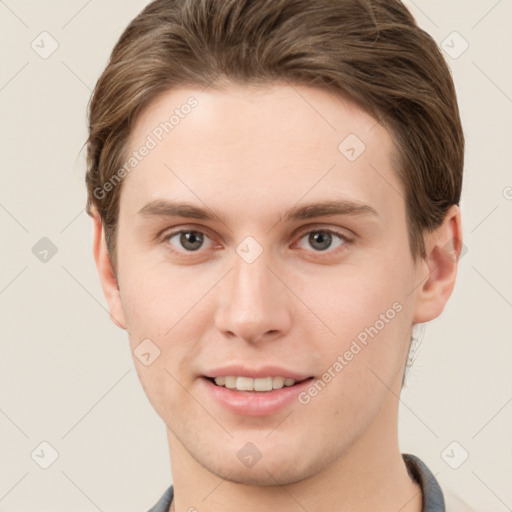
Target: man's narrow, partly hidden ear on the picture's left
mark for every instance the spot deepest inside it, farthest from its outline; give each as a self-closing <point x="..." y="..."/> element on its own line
<point x="106" y="274"/>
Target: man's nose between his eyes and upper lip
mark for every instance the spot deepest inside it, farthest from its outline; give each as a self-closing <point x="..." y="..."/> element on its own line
<point x="254" y="304"/>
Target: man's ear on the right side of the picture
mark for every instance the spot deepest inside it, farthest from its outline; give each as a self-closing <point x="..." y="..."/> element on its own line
<point x="438" y="268"/>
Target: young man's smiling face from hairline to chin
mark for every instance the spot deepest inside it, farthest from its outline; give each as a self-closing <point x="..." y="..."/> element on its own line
<point x="264" y="237"/>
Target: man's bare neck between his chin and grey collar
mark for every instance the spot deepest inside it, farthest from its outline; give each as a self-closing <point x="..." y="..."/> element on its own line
<point x="371" y="475"/>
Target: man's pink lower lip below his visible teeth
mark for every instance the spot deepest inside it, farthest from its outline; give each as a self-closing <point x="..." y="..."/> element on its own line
<point x="255" y="403"/>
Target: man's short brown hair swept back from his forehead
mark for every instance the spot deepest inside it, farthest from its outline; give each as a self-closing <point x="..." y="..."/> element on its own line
<point x="371" y="51"/>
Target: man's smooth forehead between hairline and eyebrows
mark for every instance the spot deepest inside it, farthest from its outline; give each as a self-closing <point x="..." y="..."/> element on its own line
<point x="259" y="146"/>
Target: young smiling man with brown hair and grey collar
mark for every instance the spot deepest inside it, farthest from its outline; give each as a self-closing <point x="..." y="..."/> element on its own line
<point x="274" y="188"/>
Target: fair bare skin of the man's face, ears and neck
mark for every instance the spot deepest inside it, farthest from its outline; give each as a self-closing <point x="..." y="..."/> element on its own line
<point x="250" y="154"/>
